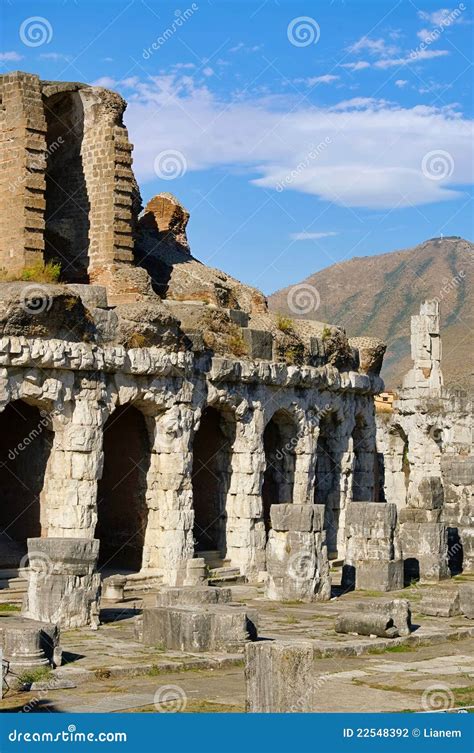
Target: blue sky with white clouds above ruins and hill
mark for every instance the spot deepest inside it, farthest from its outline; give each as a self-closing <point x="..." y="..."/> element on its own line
<point x="298" y="134"/>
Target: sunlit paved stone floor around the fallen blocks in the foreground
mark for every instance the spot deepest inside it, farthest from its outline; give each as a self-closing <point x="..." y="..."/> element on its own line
<point x="113" y="672"/>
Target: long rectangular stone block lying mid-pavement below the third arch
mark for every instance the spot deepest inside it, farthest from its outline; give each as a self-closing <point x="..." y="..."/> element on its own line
<point x="208" y="628"/>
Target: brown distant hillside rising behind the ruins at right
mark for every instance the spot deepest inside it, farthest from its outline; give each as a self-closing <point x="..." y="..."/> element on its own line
<point x="376" y="295"/>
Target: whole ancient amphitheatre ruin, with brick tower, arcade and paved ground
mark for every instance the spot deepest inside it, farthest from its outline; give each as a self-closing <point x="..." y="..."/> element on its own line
<point x="185" y="473"/>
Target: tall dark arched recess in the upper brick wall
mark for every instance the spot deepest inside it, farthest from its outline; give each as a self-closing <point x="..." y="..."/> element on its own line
<point x="67" y="203"/>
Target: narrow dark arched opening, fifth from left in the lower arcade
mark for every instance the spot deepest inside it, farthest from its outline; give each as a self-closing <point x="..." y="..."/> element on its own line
<point x="327" y="487"/>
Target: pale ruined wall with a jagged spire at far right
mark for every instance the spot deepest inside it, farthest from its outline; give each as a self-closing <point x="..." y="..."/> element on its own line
<point x="427" y="461"/>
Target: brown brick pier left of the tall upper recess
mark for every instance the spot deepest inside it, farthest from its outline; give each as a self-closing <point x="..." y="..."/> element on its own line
<point x="23" y="165"/>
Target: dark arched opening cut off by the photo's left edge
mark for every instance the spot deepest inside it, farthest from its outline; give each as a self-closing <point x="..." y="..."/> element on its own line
<point x="25" y="445"/>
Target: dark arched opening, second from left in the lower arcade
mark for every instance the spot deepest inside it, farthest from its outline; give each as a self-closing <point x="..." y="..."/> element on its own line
<point x="122" y="511"/>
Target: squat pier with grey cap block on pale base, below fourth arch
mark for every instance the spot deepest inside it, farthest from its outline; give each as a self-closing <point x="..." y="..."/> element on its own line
<point x="297" y="562"/>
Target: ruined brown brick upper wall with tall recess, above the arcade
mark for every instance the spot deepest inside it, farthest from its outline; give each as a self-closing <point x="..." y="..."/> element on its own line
<point x="68" y="189"/>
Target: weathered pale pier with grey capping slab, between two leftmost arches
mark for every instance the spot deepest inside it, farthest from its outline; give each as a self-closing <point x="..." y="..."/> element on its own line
<point x="63" y="586"/>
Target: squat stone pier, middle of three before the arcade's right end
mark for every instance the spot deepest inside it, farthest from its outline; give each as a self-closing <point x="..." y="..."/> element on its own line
<point x="373" y="558"/>
